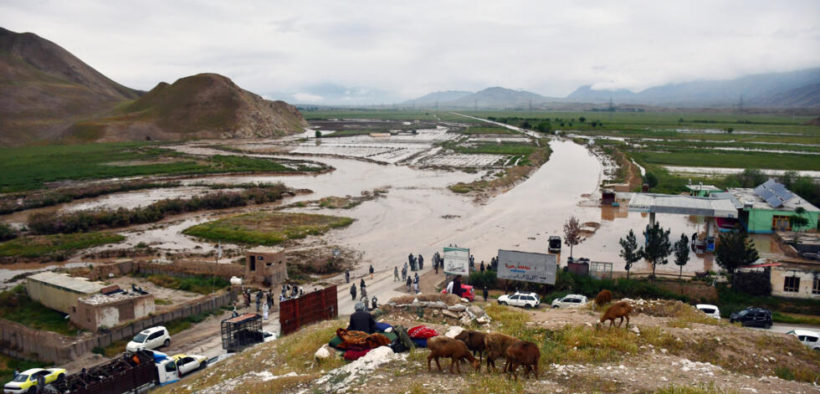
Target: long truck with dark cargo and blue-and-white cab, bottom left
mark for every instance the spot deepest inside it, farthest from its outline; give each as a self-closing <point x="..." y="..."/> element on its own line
<point x="135" y="372"/>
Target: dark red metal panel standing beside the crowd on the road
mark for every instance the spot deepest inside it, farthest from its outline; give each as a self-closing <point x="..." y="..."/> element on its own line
<point x="312" y="307"/>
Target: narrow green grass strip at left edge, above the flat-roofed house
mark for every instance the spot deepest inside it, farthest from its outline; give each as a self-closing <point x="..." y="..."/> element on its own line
<point x="56" y="245"/>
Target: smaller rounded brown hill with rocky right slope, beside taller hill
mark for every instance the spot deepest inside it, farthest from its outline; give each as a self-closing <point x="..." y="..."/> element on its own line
<point x="199" y="106"/>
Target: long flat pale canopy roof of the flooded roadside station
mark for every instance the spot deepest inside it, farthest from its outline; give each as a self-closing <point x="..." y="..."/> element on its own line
<point x="683" y="205"/>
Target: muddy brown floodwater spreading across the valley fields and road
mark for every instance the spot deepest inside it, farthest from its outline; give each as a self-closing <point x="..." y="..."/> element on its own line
<point x="419" y="213"/>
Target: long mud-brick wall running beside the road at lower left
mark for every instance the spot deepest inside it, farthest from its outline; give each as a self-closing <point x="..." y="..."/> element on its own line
<point x="19" y="341"/>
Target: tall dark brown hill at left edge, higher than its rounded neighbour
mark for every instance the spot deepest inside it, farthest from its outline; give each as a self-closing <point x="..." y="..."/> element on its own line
<point x="46" y="88"/>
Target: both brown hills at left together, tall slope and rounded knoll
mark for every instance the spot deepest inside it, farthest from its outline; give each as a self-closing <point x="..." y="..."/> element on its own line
<point x="48" y="94"/>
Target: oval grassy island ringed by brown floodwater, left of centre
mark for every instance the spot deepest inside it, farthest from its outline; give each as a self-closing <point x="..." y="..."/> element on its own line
<point x="266" y="228"/>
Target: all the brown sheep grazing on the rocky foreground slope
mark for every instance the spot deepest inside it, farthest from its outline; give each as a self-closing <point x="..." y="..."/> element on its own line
<point x="515" y="351"/>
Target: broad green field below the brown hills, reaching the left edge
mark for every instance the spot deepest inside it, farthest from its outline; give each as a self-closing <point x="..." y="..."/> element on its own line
<point x="31" y="167"/>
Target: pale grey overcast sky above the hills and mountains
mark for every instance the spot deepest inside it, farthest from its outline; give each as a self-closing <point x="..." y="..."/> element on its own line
<point x="380" y="52"/>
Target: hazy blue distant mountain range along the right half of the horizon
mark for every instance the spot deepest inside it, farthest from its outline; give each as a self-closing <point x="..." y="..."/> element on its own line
<point x="797" y="89"/>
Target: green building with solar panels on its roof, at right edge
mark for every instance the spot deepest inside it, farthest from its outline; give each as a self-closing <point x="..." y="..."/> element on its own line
<point x="768" y="207"/>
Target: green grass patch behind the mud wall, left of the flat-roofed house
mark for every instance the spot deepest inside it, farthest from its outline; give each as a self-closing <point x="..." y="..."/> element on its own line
<point x="15" y="305"/>
